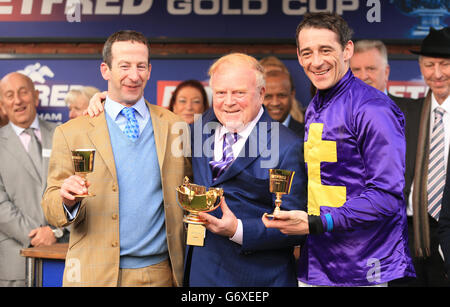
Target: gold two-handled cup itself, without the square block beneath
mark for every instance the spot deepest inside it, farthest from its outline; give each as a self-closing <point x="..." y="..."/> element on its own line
<point x="195" y="198"/>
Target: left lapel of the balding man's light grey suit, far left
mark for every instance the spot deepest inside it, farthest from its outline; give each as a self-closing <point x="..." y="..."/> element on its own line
<point x="17" y="151"/>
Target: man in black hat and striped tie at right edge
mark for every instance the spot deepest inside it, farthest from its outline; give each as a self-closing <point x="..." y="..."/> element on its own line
<point x="431" y="168"/>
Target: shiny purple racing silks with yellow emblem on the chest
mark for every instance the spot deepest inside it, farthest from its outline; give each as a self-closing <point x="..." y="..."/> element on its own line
<point x="355" y="159"/>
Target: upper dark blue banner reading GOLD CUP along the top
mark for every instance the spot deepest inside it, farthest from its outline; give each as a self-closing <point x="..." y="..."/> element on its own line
<point x="218" y="19"/>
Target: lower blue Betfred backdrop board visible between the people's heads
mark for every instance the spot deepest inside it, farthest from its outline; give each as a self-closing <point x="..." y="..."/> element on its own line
<point x="55" y="77"/>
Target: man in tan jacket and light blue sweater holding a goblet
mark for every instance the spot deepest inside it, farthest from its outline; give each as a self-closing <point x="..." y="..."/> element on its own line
<point x="99" y="242"/>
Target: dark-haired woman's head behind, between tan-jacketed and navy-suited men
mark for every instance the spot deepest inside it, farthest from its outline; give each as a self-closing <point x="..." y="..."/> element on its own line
<point x="188" y="99"/>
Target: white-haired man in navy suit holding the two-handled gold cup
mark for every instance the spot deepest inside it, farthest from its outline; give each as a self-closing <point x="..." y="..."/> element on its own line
<point x="238" y="250"/>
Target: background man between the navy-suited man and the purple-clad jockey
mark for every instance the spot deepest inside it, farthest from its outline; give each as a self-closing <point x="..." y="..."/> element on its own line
<point x="279" y="98"/>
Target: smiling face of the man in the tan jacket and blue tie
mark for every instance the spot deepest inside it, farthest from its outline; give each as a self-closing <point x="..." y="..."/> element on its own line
<point x="129" y="72"/>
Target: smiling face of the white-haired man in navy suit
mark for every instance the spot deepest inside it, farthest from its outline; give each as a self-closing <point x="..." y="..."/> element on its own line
<point x="236" y="97"/>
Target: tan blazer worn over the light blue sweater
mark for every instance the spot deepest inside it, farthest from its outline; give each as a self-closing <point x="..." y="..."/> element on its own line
<point x="94" y="247"/>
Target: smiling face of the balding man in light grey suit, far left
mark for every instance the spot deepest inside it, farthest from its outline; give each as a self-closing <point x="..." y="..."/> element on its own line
<point x="19" y="98"/>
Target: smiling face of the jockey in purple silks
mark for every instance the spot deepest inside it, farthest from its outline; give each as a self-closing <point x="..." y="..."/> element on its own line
<point x="322" y="57"/>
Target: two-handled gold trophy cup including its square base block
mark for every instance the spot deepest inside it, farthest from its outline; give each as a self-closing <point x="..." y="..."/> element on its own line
<point x="194" y="199"/>
